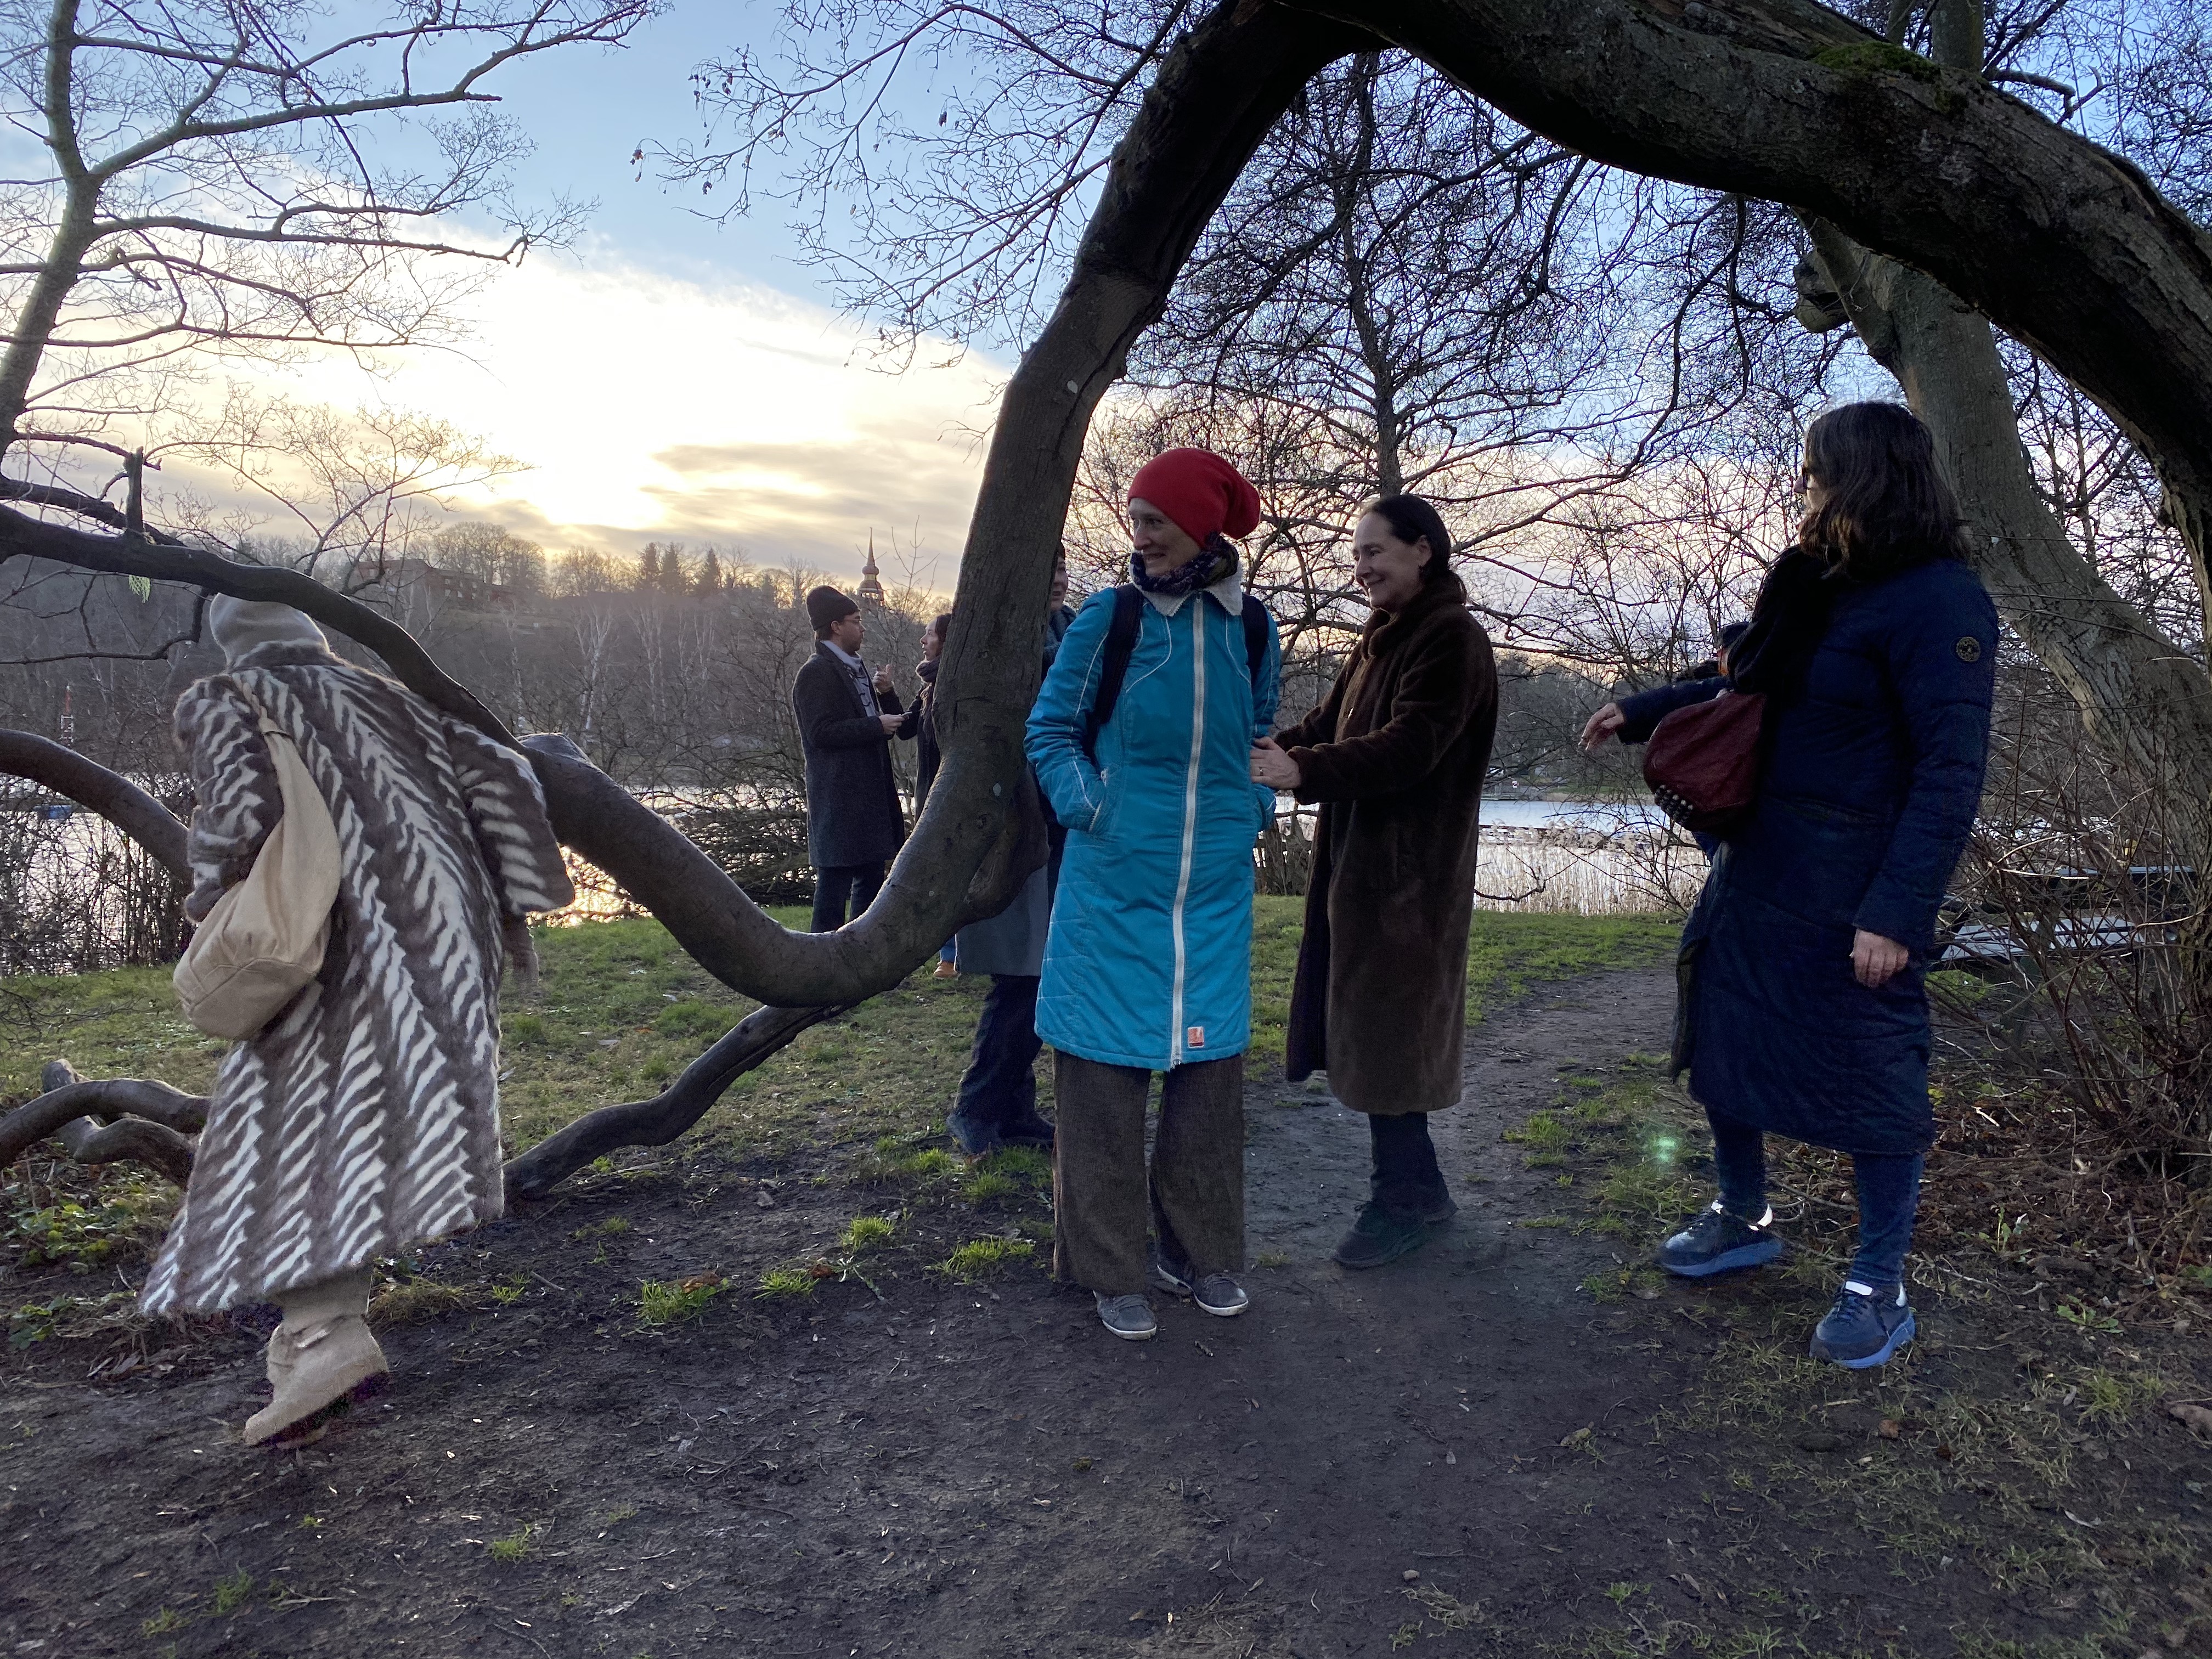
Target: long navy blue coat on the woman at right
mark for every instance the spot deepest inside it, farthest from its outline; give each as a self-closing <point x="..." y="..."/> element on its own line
<point x="1866" y="806"/>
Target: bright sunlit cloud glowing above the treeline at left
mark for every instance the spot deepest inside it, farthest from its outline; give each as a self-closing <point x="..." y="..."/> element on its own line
<point x="654" y="408"/>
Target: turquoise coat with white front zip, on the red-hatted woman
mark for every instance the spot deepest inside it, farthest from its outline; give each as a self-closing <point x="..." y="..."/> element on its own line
<point x="1149" y="961"/>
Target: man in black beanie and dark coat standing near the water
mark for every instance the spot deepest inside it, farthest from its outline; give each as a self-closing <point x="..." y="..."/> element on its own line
<point x="846" y="724"/>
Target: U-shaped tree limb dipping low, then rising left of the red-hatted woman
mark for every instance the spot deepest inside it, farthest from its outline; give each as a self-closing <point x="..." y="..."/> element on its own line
<point x="1207" y="114"/>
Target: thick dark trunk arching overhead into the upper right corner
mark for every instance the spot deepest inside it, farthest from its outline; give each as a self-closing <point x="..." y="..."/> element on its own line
<point x="2060" y="242"/>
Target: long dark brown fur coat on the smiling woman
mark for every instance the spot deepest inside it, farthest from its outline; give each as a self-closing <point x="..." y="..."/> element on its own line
<point x="1395" y="755"/>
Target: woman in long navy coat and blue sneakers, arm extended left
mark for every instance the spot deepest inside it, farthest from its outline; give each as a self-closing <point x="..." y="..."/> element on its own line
<point x="1804" y="1010"/>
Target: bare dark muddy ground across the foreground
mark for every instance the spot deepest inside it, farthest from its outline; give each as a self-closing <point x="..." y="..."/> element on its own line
<point x="1470" y="1452"/>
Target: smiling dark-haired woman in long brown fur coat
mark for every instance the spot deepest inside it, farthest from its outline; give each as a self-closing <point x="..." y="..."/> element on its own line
<point x="1395" y="755"/>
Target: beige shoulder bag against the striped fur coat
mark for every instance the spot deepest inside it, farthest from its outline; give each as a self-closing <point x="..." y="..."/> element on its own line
<point x="264" y="939"/>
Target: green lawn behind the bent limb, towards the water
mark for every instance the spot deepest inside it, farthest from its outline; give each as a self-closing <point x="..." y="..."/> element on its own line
<point x="623" y="1010"/>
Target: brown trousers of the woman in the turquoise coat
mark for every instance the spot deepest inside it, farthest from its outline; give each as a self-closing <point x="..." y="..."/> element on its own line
<point x="1103" y="1191"/>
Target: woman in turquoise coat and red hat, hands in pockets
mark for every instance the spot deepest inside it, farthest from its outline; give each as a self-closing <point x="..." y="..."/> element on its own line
<point x="1149" y="959"/>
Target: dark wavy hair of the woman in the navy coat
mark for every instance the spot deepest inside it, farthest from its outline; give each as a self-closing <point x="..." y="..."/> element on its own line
<point x="1888" y="503"/>
